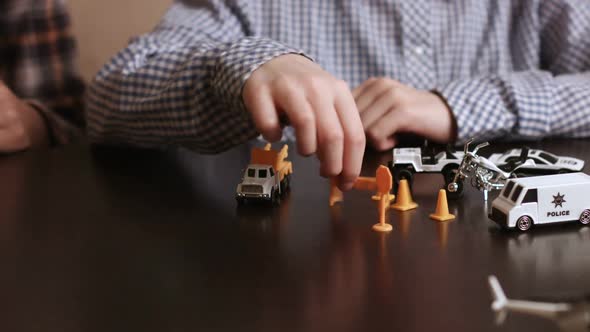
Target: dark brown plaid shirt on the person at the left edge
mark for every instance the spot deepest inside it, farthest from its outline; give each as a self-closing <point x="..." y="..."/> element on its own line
<point x="37" y="55"/>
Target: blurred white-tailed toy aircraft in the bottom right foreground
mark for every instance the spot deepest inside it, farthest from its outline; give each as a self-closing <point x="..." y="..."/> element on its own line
<point x="570" y="314"/>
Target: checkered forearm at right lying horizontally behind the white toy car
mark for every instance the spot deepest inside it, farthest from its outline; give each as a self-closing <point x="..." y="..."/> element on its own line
<point x="525" y="105"/>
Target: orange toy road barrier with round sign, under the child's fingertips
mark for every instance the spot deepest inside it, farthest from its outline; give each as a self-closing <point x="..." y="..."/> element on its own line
<point x="381" y="183"/>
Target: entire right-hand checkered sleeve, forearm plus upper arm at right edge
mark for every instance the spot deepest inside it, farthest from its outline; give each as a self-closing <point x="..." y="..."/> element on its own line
<point x="553" y="101"/>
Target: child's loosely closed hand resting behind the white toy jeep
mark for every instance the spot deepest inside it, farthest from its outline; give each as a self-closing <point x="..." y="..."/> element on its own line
<point x="388" y="107"/>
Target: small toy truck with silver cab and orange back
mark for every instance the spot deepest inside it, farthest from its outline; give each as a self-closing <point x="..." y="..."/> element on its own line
<point x="267" y="178"/>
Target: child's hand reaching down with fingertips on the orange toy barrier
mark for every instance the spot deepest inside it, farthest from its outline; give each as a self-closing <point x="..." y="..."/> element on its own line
<point x="319" y="106"/>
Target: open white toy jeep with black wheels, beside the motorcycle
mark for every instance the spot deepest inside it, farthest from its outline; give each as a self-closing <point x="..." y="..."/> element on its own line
<point x="409" y="161"/>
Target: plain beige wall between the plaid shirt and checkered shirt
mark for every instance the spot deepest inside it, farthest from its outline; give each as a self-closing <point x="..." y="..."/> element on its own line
<point x="104" y="27"/>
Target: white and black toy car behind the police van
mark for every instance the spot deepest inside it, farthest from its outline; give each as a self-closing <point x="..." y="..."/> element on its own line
<point x="545" y="162"/>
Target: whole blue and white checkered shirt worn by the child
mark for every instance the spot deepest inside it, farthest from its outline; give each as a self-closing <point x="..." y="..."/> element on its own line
<point x="507" y="68"/>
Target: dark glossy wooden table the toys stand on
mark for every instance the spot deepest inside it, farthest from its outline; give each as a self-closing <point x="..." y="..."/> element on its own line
<point x="131" y="240"/>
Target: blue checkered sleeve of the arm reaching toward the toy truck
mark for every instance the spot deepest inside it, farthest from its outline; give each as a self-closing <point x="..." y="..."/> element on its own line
<point x="182" y="83"/>
